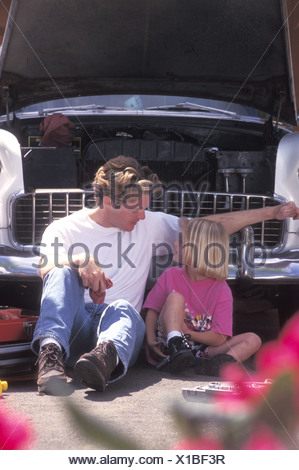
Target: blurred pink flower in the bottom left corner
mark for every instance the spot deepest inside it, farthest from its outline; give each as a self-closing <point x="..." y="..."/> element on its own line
<point x="15" y="431"/>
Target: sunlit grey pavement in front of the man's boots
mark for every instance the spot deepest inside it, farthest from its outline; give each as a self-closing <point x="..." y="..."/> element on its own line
<point x="139" y="407"/>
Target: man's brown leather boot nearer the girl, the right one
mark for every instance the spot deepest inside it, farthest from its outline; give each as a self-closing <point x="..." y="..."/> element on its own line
<point x="95" y="367"/>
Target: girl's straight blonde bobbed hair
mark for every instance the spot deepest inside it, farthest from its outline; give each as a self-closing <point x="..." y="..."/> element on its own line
<point x="205" y="247"/>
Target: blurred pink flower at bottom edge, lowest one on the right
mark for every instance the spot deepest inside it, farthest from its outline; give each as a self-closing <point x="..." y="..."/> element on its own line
<point x="263" y="439"/>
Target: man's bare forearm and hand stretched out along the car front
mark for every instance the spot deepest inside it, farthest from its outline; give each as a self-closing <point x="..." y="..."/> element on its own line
<point x="234" y="221"/>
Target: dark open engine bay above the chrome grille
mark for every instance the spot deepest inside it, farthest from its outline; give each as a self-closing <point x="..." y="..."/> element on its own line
<point x="224" y="157"/>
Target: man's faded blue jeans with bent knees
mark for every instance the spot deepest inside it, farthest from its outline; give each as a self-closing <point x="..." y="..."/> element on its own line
<point x="79" y="327"/>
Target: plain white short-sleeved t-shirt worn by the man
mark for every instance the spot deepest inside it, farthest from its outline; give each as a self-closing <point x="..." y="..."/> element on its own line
<point x="124" y="256"/>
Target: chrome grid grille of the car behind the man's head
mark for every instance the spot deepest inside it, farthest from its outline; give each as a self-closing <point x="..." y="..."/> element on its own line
<point x="32" y="213"/>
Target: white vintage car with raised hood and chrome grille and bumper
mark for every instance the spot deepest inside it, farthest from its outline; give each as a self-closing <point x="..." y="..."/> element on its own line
<point x="202" y="93"/>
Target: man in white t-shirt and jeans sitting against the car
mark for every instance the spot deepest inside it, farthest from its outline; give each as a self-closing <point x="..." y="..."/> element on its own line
<point x="107" y="251"/>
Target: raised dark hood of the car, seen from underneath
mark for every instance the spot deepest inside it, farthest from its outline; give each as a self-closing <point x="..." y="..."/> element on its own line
<point x="234" y="51"/>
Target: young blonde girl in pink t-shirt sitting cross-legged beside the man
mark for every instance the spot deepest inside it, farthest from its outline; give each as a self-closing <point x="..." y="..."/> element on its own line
<point x="193" y="302"/>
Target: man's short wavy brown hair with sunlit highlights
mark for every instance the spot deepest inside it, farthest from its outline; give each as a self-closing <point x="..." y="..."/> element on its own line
<point x="123" y="177"/>
